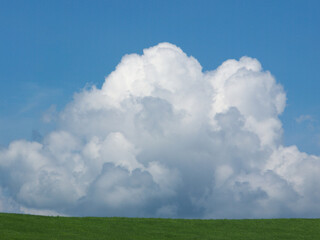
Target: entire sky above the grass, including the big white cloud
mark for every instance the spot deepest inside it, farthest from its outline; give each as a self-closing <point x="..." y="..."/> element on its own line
<point x="160" y="137"/>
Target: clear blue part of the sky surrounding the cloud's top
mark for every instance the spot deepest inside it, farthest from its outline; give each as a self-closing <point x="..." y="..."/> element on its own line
<point x="51" y="49"/>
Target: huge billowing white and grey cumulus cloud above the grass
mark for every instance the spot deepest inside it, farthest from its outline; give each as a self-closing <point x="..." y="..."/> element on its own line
<point x="162" y="138"/>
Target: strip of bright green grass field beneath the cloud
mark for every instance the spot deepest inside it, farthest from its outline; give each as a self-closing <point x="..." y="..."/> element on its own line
<point x="16" y="226"/>
